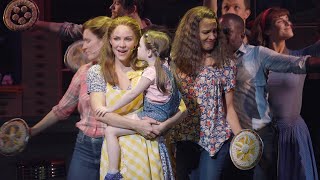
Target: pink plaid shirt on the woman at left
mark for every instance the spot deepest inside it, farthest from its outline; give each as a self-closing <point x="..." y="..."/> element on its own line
<point x="76" y="95"/>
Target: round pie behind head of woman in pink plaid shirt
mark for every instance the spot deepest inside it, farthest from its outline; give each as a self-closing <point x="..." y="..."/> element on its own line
<point x="74" y="56"/>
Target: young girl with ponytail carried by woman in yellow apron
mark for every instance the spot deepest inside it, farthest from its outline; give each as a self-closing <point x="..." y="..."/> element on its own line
<point x="161" y="98"/>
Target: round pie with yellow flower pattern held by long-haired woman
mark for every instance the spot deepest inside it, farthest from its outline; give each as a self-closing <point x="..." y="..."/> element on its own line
<point x="246" y="149"/>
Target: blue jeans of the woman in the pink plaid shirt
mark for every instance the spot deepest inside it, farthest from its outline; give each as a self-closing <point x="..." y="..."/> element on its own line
<point x="85" y="162"/>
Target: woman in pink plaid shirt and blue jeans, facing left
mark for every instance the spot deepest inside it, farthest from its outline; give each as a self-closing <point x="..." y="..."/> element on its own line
<point x="85" y="161"/>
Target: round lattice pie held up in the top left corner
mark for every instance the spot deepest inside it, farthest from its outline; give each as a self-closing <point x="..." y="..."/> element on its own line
<point x="20" y="15"/>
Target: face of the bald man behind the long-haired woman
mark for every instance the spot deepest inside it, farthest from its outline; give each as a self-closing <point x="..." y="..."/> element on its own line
<point x="232" y="33"/>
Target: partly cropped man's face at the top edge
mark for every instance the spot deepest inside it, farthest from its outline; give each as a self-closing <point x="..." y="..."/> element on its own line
<point x="235" y="7"/>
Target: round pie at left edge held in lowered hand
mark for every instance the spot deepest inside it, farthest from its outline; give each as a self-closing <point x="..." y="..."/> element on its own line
<point x="14" y="136"/>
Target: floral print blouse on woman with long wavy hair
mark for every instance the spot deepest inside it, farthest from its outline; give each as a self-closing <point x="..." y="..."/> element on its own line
<point x="206" y="121"/>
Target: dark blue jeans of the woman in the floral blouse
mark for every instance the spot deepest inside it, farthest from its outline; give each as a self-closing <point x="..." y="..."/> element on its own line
<point x="193" y="162"/>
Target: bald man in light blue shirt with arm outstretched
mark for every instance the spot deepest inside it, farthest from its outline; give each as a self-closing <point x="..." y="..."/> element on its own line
<point x="250" y="96"/>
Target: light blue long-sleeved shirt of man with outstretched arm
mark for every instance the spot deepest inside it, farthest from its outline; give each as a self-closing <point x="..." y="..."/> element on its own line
<point x="250" y="96"/>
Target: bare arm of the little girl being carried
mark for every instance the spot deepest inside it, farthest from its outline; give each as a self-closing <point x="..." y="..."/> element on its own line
<point x="142" y="85"/>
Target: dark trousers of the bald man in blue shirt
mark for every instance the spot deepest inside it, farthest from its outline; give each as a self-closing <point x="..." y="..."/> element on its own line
<point x="267" y="167"/>
